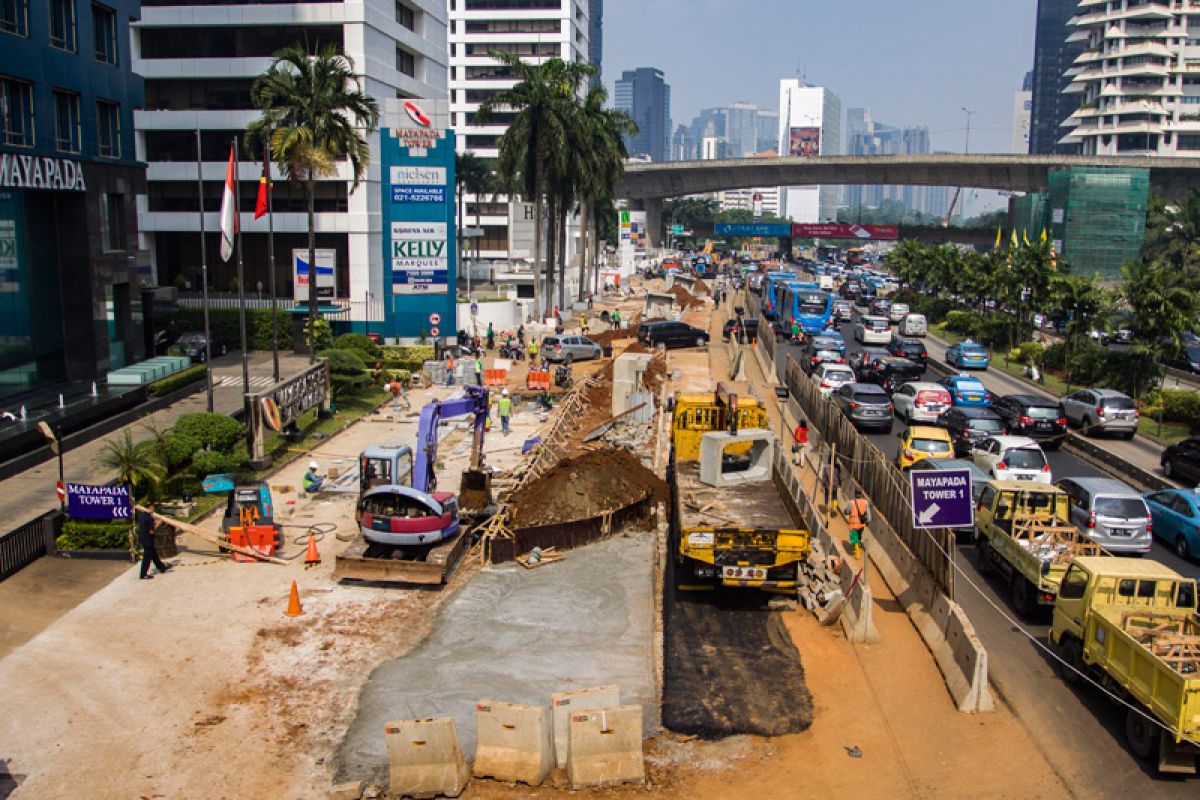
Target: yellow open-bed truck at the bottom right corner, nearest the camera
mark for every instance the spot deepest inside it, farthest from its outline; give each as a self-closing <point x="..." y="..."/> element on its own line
<point x="1133" y="627"/>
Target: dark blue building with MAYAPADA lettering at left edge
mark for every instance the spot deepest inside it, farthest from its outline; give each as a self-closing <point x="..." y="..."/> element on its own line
<point x="71" y="302"/>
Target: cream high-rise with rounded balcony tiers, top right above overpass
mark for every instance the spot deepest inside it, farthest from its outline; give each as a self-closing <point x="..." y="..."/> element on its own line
<point x="1137" y="81"/>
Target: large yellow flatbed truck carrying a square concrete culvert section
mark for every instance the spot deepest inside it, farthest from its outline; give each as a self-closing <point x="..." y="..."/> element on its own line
<point x="730" y="527"/>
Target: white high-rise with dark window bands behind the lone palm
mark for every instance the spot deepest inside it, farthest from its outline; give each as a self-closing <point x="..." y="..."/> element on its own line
<point x="200" y="62"/>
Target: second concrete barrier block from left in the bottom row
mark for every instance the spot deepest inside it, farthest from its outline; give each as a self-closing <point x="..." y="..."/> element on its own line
<point x="515" y="743"/>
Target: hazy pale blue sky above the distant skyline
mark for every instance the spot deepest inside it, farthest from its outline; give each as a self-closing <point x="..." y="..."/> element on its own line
<point x="910" y="63"/>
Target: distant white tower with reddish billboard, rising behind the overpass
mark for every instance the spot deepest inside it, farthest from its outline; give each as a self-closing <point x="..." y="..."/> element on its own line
<point x="809" y="127"/>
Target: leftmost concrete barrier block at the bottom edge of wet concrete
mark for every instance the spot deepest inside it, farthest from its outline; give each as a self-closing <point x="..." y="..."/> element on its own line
<point x="425" y="760"/>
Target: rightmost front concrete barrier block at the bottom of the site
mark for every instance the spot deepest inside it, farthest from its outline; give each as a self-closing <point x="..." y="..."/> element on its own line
<point x="605" y="748"/>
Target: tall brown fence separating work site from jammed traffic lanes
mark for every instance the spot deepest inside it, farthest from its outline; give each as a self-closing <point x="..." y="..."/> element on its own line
<point x="880" y="479"/>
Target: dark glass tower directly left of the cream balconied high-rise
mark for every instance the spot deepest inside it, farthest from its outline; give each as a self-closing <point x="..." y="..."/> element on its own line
<point x="1055" y="49"/>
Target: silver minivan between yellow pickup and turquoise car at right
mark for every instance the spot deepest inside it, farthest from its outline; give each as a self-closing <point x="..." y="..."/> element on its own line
<point x="1111" y="513"/>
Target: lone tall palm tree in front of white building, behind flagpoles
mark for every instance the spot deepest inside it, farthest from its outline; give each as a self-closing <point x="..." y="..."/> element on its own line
<point x="314" y="113"/>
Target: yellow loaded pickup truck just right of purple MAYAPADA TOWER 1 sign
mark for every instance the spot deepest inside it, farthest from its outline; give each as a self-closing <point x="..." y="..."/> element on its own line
<point x="1024" y="533"/>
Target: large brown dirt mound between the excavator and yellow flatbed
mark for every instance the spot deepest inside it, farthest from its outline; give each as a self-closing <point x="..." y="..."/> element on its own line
<point x="586" y="486"/>
